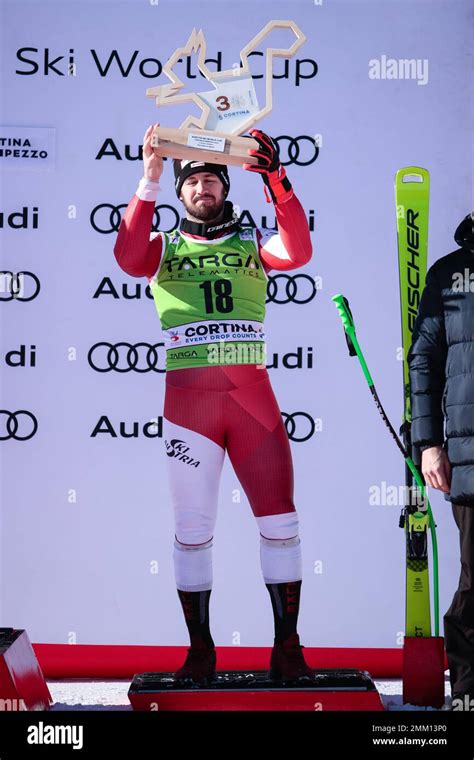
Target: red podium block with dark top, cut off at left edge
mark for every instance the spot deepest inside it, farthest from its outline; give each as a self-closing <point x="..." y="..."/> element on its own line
<point x="22" y="684"/>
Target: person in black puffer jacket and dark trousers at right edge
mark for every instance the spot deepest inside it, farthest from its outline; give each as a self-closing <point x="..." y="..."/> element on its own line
<point x="441" y="362"/>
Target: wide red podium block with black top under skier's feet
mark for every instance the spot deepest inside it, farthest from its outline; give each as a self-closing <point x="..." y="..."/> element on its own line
<point x="344" y="689"/>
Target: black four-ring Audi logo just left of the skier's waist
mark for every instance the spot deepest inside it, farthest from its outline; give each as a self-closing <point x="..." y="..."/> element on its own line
<point x="105" y="357"/>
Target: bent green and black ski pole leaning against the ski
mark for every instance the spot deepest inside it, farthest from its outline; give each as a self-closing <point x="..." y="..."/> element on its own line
<point x="342" y="305"/>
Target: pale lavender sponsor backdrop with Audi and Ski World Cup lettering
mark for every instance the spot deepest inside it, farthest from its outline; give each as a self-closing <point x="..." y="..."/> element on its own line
<point x="86" y="521"/>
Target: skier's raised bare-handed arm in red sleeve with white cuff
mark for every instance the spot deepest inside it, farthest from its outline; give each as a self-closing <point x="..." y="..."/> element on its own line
<point x="138" y="252"/>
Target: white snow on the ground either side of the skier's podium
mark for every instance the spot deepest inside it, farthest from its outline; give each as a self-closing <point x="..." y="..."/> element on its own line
<point x="79" y="694"/>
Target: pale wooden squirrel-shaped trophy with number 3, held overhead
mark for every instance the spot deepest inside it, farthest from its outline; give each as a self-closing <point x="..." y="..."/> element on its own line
<point x="227" y="111"/>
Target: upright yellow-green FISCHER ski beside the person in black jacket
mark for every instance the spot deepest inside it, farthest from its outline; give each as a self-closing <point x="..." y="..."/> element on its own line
<point x="412" y="189"/>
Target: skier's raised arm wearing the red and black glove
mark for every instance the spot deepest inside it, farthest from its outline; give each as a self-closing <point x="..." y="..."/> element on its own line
<point x="290" y="247"/>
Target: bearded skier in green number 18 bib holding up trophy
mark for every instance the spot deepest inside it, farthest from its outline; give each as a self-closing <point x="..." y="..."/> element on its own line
<point x="209" y="282"/>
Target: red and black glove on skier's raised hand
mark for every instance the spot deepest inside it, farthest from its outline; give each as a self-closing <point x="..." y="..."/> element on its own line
<point x="270" y="167"/>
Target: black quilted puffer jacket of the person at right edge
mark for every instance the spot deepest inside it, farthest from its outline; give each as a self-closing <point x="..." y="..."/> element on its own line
<point x="441" y="363"/>
